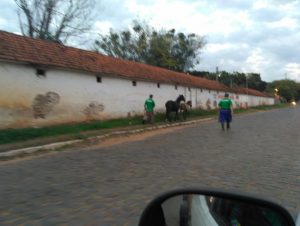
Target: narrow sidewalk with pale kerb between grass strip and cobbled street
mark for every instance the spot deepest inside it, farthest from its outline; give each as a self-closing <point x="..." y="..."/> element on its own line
<point x="52" y="143"/>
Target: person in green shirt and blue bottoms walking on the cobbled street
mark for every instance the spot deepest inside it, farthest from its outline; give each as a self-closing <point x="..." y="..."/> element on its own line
<point x="225" y="112"/>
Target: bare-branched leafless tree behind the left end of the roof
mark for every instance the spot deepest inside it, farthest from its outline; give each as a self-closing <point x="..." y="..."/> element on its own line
<point x="55" y="20"/>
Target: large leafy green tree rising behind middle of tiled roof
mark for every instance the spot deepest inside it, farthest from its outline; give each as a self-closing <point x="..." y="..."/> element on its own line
<point x="163" y="48"/>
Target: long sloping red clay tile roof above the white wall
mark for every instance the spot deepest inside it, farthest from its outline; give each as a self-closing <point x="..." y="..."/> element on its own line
<point x="28" y="50"/>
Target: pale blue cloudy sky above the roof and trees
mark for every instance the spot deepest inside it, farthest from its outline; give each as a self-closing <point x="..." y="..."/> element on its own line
<point x="261" y="36"/>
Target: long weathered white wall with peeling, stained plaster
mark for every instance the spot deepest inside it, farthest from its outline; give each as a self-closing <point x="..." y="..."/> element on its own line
<point x="29" y="100"/>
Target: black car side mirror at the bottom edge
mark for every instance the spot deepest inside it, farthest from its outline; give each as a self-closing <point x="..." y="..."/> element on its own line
<point x="212" y="208"/>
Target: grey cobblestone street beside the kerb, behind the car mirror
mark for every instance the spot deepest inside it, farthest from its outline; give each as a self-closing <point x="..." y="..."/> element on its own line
<point x="111" y="185"/>
